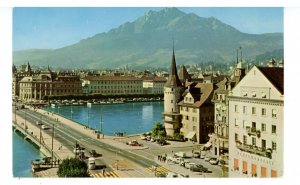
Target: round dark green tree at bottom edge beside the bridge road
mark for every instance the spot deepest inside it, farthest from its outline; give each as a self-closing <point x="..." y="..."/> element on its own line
<point x="73" y="167"/>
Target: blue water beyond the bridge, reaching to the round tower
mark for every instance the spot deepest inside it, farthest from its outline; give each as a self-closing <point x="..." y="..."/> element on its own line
<point x="131" y="118"/>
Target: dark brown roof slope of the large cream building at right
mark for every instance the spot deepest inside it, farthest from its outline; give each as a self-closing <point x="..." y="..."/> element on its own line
<point x="275" y="76"/>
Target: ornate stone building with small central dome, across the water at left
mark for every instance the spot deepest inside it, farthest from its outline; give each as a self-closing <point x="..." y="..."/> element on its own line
<point x="47" y="83"/>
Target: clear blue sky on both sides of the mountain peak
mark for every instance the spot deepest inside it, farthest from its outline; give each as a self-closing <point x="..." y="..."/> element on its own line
<point x="52" y="28"/>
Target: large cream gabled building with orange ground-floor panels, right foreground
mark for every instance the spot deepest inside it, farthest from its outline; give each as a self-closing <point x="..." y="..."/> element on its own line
<point x="256" y="124"/>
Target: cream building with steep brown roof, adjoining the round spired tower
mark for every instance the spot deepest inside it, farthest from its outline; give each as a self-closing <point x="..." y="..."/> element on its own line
<point x="197" y="112"/>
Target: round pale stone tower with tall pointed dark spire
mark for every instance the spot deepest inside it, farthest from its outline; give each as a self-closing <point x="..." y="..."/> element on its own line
<point x="172" y="94"/>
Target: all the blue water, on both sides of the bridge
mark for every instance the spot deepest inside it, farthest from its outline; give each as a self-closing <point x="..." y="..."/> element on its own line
<point x="129" y="118"/>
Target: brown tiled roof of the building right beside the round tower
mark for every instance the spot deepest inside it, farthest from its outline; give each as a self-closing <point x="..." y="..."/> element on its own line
<point x="206" y="91"/>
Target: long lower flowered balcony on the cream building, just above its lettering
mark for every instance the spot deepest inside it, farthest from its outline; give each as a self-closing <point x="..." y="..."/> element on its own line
<point x="254" y="150"/>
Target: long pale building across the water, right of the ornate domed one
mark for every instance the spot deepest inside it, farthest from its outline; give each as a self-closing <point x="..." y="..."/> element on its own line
<point x="113" y="85"/>
